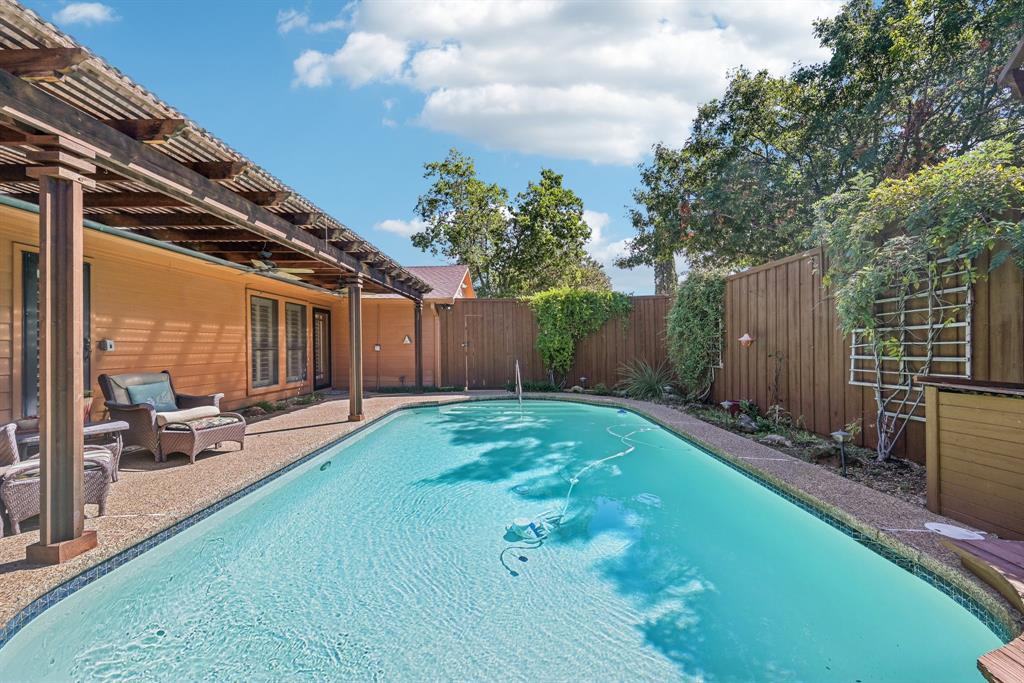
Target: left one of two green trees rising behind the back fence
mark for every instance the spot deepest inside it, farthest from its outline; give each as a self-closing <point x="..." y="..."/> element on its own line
<point x="465" y="219"/>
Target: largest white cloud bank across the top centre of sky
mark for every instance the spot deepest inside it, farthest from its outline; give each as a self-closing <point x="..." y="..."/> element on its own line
<point x="594" y="81"/>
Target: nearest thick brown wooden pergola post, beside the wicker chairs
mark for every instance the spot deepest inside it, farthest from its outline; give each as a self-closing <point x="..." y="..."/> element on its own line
<point x="62" y="519"/>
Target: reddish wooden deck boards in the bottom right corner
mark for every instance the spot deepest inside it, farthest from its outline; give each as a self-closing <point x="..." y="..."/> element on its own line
<point x="1001" y="565"/>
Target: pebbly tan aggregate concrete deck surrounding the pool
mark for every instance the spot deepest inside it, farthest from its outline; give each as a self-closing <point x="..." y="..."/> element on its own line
<point x="151" y="497"/>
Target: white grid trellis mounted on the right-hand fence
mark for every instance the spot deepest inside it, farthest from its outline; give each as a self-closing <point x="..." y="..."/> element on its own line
<point x="932" y="328"/>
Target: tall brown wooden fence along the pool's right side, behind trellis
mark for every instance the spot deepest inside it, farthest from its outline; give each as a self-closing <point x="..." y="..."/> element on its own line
<point x="800" y="359"/>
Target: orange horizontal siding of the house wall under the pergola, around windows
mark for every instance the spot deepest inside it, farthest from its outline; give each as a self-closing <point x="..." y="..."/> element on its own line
<point x="164" y="312"/>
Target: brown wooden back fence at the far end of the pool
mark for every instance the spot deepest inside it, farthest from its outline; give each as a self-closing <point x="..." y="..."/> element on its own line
<point x="482" y="339"/>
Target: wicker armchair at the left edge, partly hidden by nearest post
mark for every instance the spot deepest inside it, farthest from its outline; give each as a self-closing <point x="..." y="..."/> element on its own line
<point x="20" y="483"/>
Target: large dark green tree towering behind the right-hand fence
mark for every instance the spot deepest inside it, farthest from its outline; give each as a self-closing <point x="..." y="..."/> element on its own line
<point x="909" y="83"/>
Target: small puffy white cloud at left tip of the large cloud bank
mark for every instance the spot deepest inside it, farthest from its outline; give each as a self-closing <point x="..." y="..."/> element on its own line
<point x="364" y="58"/>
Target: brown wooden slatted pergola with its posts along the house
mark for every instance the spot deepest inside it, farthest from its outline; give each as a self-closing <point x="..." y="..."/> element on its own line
<point x="82" y="141"/>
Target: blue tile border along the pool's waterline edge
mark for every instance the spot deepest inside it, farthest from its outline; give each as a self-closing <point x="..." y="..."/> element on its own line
<point x="803" y="501"/>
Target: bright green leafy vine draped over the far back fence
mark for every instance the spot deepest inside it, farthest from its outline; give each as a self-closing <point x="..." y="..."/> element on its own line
<point x="567" y="316"/>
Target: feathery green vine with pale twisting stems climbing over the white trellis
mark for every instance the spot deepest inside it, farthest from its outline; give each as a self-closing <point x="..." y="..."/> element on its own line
<point x="903" y="236"/>
